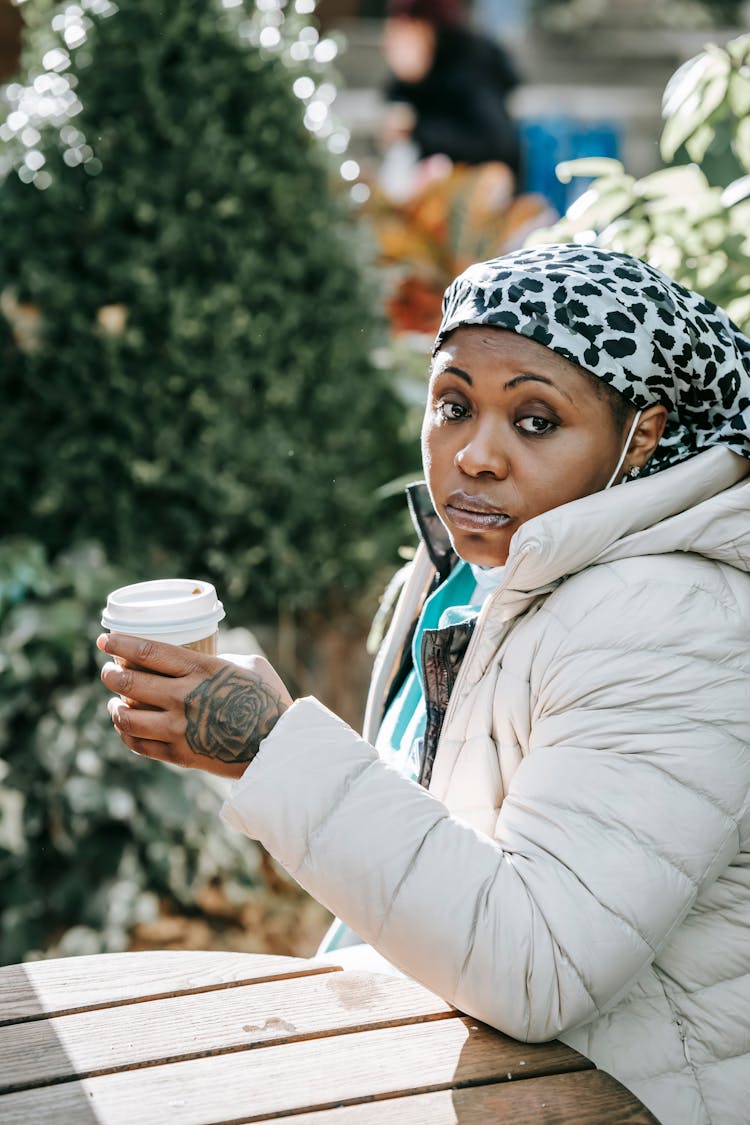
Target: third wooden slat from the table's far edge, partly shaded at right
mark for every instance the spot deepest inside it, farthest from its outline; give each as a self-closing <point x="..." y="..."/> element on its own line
<point x="293" y="1078"/>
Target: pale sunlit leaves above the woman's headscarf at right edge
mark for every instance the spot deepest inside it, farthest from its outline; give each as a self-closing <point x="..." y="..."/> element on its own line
<point x="692" y="221"/>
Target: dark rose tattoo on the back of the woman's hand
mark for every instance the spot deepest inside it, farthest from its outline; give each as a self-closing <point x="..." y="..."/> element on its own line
<point x="229" y="716"/>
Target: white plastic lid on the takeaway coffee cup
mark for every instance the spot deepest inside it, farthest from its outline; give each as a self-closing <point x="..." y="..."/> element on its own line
<point x="177" y="610"/>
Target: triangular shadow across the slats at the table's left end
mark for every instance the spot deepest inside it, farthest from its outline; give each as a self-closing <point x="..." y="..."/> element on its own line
<point x="30" y="1036"/>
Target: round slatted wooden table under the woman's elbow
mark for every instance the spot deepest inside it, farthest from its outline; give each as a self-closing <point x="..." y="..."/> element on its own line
<point x="180" y="1039"/>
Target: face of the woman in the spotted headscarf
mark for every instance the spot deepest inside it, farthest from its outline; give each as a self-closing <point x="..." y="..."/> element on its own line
<point x="511" y="430"/>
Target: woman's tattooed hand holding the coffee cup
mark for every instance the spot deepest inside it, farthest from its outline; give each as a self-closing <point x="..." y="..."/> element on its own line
<point x="189" y="709"/>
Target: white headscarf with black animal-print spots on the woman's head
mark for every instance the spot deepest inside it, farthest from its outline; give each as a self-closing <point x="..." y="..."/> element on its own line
<point x="649" y="338"/>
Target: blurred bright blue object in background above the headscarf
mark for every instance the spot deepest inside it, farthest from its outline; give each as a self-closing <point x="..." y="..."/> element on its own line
<point x="548" y="141"/>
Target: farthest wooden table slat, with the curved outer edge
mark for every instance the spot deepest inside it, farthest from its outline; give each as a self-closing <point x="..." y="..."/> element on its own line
<point x="40" y="989"/>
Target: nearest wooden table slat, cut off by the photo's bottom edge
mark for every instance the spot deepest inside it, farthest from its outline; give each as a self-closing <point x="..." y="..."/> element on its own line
<point x="589" y="1097"/>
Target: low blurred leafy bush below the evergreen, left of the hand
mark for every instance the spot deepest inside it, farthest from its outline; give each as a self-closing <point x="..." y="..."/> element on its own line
<point x="91" y="836"/>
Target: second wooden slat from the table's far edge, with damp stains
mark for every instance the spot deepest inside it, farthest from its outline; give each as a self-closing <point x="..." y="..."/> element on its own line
<point x="209" y="1023"/>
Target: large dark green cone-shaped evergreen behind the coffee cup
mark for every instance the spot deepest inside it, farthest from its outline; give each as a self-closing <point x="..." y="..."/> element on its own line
<point x="189" y="379"/>
